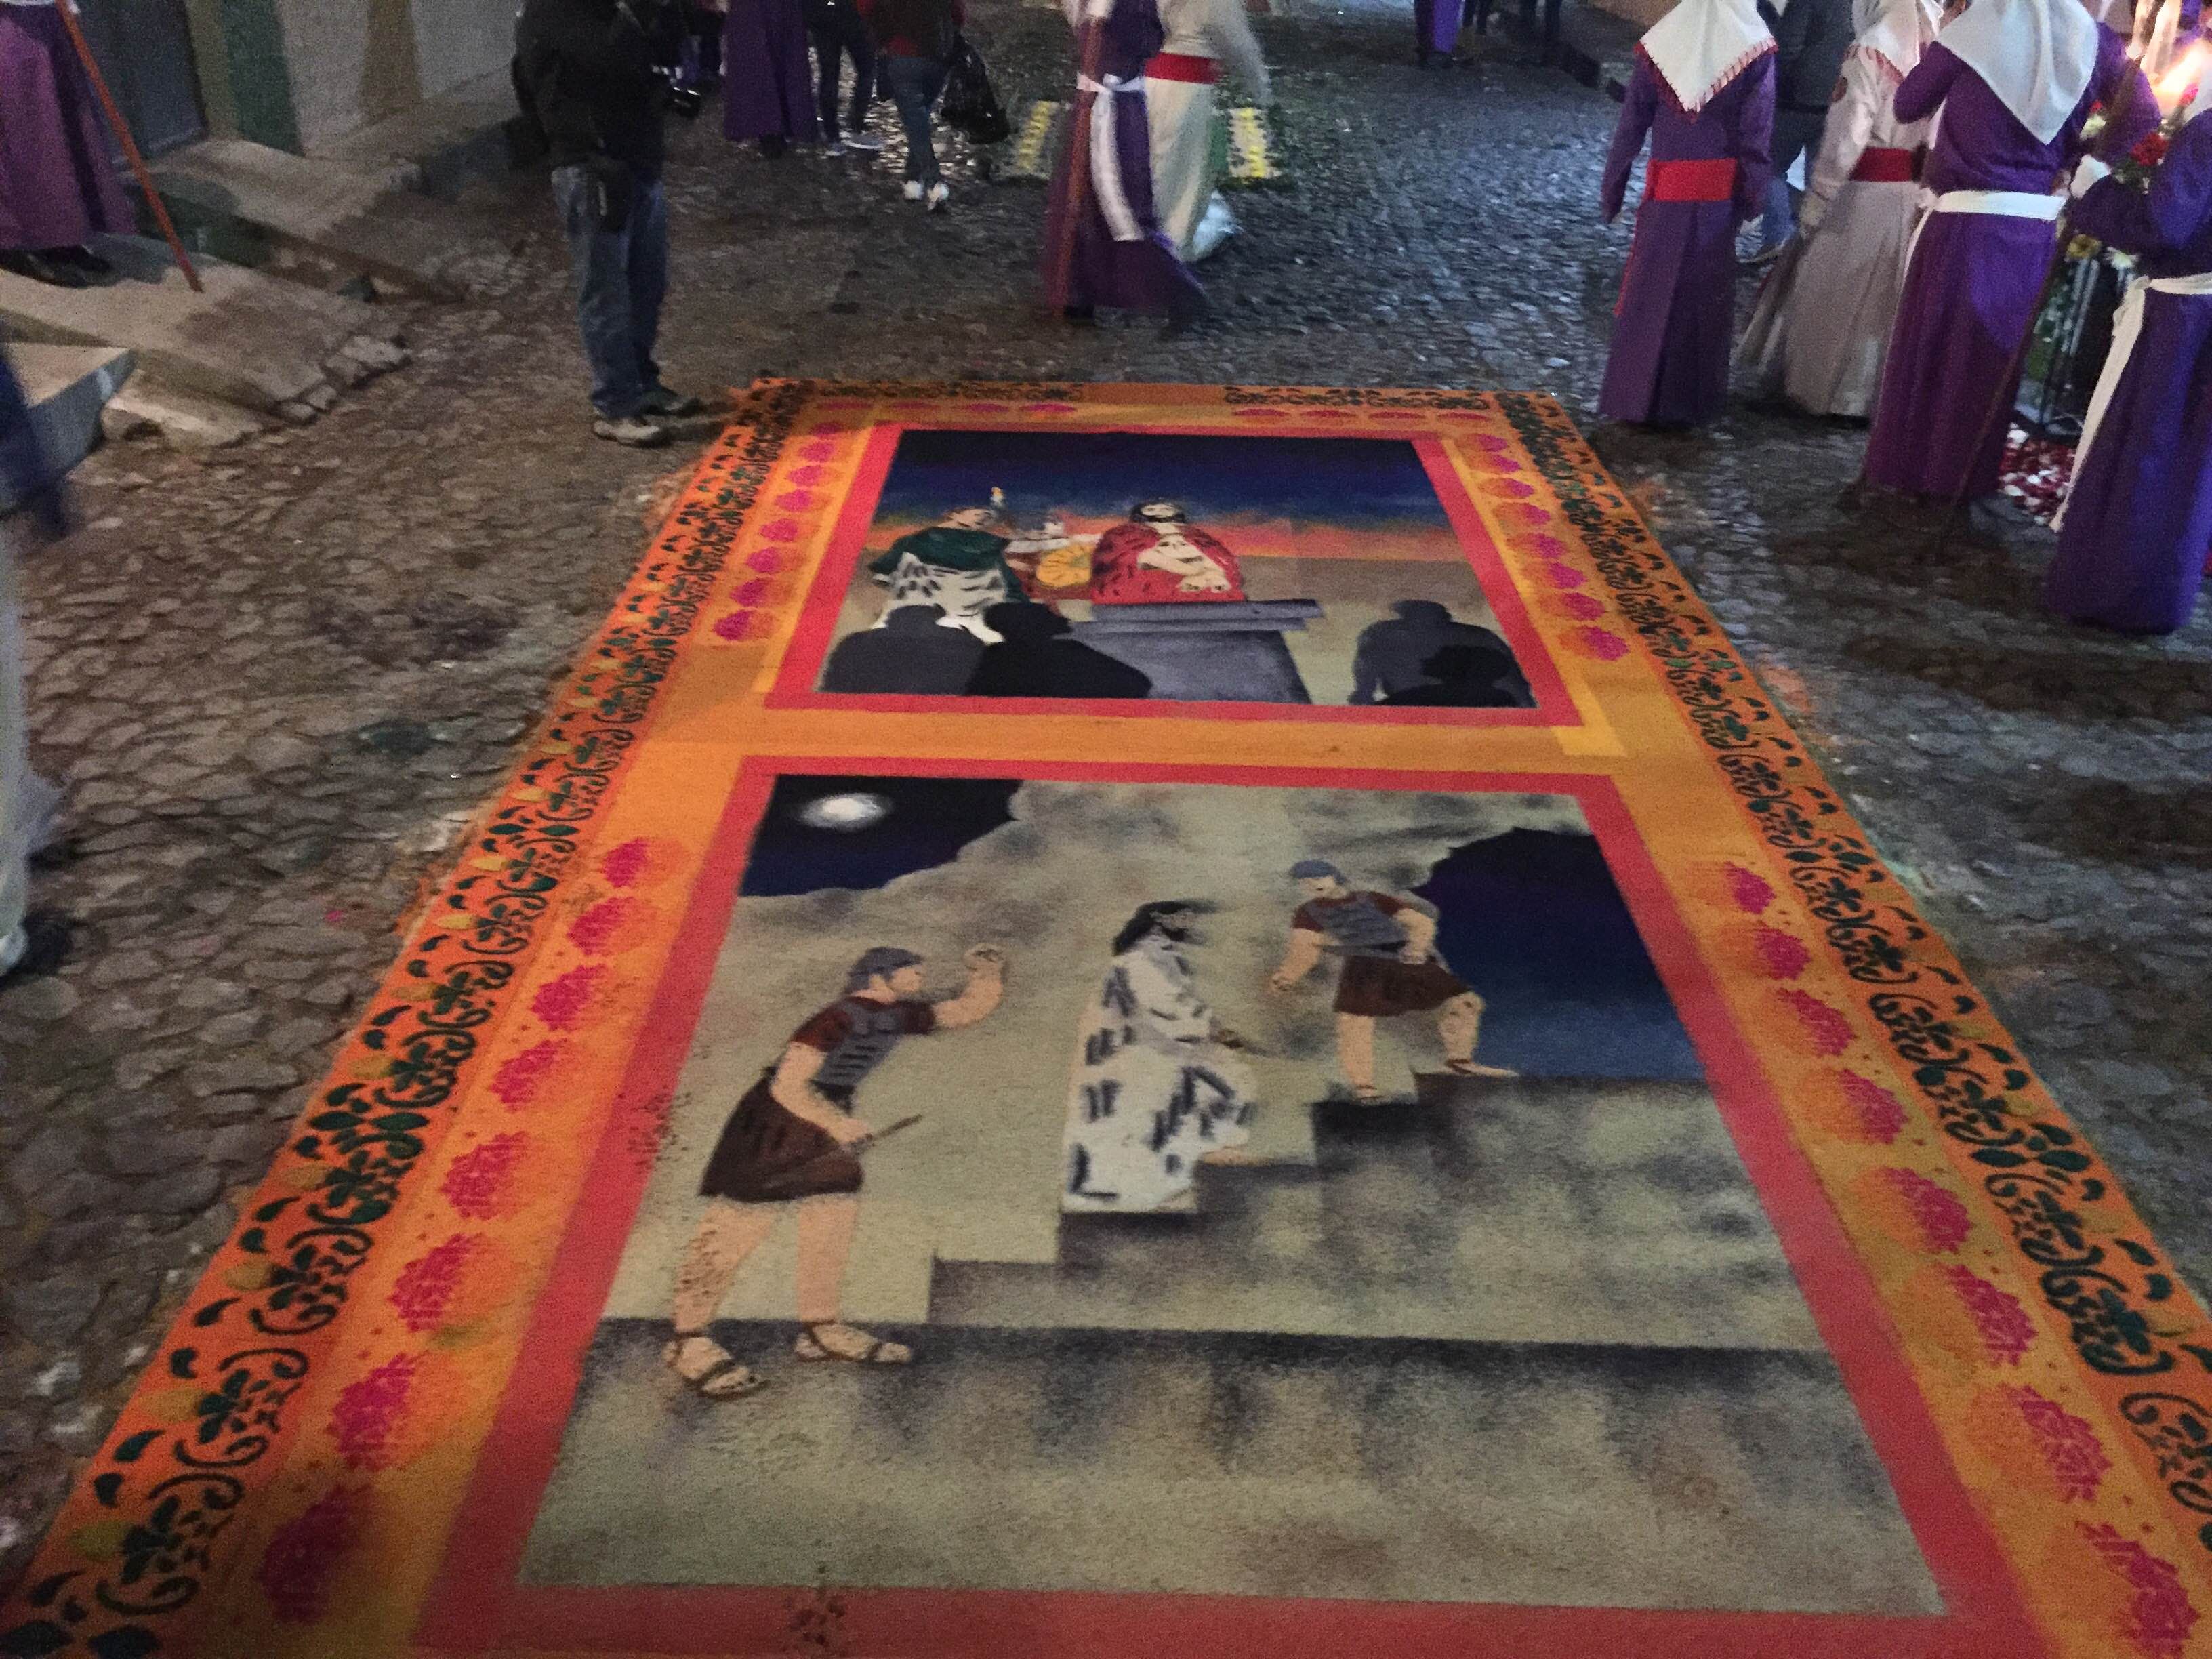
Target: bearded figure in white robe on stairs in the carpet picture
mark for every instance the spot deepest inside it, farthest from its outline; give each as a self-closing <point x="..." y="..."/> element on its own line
<point x="1154" y="1087"/>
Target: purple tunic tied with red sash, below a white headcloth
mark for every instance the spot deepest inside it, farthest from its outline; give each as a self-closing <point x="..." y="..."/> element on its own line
<point x="1678" y="317"/>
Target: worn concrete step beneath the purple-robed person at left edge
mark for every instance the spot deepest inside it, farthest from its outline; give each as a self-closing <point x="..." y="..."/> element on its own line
<point x="251" y="340"/>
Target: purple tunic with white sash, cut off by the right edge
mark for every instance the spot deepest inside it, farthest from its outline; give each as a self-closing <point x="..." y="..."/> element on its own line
<point x="2140" y="519"/>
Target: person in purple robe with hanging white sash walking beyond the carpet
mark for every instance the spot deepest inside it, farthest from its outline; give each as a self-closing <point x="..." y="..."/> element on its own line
<point x="1103" y="236"/>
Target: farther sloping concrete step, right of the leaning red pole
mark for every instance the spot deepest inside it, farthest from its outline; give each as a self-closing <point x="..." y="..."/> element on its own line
<point x="328" y="225"/>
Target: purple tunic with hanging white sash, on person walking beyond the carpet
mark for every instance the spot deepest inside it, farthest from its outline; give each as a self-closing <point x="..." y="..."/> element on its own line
<point x="1140" y="275"/>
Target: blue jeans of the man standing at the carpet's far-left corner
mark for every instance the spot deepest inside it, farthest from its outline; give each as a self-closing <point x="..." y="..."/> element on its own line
<point x="620" y="284"/>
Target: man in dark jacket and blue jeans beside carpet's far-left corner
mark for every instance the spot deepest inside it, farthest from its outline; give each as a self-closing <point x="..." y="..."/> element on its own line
<point x="596" y="76"/>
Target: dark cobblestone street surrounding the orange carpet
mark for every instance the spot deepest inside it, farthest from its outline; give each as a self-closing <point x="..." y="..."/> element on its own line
<point x="280" y="680"/>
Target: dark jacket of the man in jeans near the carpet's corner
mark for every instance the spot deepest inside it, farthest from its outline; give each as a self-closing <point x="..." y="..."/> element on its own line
<point x="592" y="74"/>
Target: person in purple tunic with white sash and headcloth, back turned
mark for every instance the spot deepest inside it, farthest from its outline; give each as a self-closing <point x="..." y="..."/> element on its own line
<point x="2016" y="83"/>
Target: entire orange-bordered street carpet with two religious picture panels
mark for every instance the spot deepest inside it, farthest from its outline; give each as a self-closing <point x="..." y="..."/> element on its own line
<point x="1401" y="1116"/>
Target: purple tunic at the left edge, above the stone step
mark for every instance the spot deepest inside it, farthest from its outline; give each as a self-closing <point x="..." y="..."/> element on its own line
<point x="56" y="180"/>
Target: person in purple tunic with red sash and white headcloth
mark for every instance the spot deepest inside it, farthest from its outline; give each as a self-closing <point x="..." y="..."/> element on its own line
<point x="1704" y="92"/>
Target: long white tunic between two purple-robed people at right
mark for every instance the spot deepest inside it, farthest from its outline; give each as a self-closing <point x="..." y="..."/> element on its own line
<point x="1824" y="320"/>
